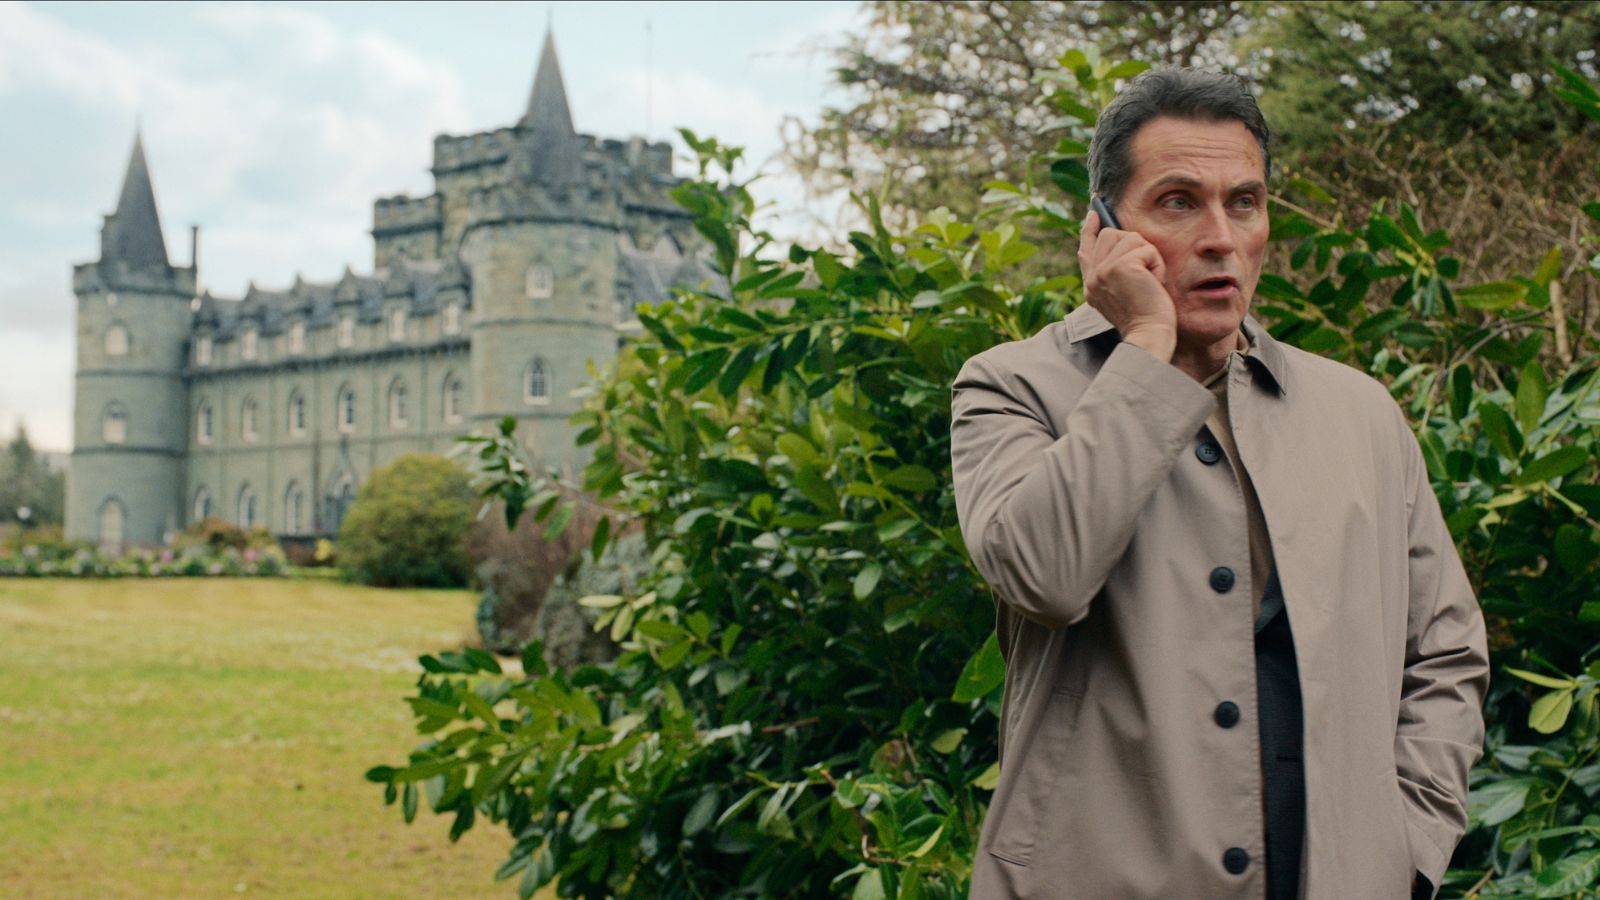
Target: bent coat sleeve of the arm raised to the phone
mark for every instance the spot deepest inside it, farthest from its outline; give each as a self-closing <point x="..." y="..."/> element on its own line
<point x="1046" y="515"/>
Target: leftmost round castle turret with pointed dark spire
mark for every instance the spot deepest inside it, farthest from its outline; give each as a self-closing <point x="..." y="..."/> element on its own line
<point x="130" y="430"/>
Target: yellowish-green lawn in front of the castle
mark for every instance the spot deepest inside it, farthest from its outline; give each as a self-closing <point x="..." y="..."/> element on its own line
<point x="207" y="739"/>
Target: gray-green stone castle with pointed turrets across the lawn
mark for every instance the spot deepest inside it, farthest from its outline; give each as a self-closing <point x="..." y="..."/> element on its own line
<point x="489" y="299"/>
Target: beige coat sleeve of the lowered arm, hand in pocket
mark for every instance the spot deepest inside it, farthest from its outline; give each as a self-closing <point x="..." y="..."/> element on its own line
<point x="1447" y="672"/>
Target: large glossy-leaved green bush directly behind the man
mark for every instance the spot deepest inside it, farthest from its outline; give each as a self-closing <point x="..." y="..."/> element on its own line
<point x="786" y="715"/>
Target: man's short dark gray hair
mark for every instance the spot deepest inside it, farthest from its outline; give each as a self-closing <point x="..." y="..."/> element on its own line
<point x="1180" y="94"/>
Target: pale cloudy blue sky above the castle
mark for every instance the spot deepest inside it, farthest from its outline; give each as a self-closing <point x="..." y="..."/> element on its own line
<point x="276" y="126"/>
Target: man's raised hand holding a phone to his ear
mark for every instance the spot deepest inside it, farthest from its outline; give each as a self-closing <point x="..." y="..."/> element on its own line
<point x="1124" y="278"/>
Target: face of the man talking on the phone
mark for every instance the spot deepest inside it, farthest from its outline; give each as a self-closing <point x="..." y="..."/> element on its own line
<point x="1199" y="195"/>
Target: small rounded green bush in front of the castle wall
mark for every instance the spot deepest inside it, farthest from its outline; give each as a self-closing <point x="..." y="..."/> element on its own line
<point x="407" y="526"/>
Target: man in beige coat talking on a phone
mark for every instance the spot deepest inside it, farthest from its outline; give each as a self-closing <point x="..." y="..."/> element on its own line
<point x="1242" y="656"/>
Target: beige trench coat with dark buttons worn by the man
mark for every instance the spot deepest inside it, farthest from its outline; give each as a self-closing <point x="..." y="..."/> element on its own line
<point x="1086" y="507"/>
